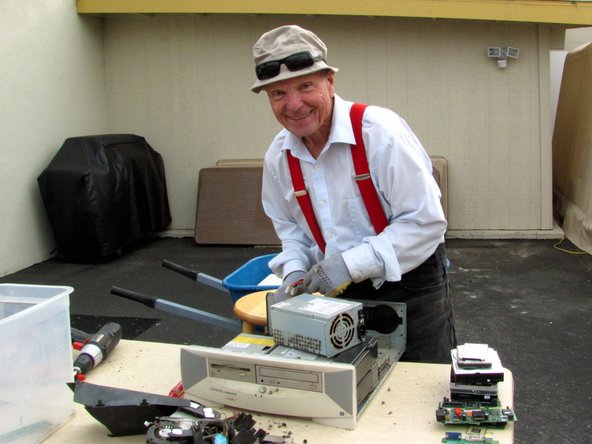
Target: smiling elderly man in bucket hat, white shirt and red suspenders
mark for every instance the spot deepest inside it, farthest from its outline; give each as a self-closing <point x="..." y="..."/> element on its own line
<point x="351" y="195"/>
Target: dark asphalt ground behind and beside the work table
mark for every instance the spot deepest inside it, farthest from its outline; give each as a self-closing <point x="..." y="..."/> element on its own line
<point x="525" y="298"/>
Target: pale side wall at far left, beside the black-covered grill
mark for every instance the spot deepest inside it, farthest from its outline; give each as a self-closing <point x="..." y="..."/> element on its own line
<point x="52" y="87"/>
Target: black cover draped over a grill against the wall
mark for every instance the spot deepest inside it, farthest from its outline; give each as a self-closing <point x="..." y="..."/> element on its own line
<point x="103" y="193"/>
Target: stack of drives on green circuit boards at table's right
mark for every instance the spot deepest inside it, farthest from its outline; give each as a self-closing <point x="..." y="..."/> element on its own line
<point x="475" y="372"/>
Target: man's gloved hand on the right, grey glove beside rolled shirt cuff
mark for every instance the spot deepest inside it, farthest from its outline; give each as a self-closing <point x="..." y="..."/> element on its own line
<point x="329" y="277"/>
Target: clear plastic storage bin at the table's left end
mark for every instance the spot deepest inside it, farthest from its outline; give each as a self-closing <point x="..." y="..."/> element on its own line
<point x="35" y="361"/>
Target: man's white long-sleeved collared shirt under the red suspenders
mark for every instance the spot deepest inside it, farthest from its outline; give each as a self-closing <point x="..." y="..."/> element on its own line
<point x="402" y="174"/>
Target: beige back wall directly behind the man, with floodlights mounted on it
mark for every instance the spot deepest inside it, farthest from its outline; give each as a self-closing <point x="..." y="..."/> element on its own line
<point x="183" y="83"/>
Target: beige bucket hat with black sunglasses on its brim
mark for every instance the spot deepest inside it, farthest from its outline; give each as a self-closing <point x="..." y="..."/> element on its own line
<point x="287" y="52"/>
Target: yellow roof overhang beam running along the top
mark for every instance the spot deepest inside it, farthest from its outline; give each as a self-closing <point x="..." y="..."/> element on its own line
<point x="534" y="11"/>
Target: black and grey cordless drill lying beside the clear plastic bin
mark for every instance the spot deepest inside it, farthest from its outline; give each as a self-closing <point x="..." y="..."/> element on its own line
<point x="96" y="347"/>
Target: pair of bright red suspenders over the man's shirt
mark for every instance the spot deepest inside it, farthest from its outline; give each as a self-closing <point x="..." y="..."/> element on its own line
<point x="362" y="177"/>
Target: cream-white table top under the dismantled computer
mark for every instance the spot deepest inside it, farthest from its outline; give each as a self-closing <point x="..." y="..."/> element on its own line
<point x="402" y="410"/>
